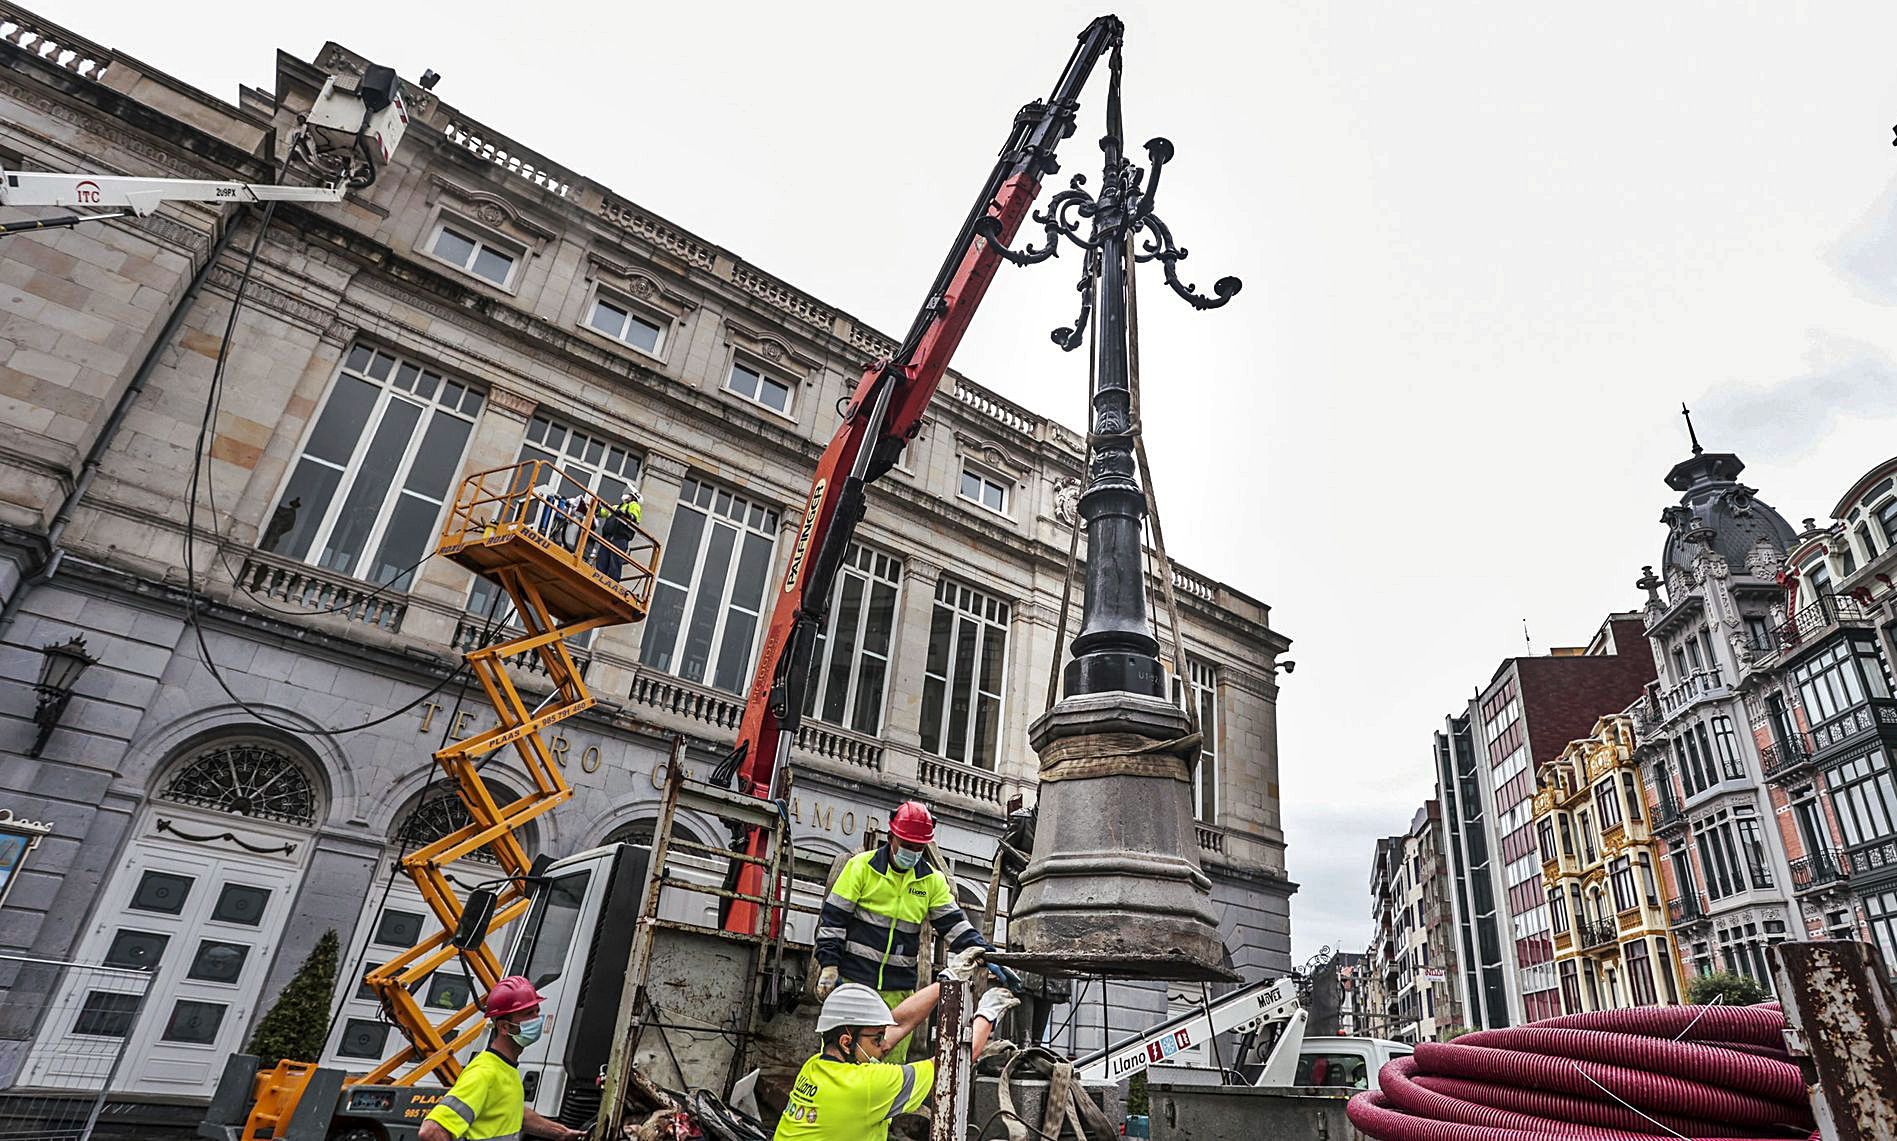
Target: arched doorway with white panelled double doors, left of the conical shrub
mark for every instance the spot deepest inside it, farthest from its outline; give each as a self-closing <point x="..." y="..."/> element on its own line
<point x="200" y="901"/>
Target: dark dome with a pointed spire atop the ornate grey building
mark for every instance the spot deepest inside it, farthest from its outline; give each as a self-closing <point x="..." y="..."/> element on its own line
<point x="1720" y="514"/>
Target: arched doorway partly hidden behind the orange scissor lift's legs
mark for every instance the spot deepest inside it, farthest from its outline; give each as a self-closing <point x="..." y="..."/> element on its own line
<point x="396" y="920"/>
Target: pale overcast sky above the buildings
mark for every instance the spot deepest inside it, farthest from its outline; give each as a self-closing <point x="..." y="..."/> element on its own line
<point x="1488" y="252"/>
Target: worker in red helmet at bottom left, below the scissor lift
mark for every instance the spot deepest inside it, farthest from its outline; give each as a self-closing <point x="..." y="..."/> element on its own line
<point x="488" y="1102"/>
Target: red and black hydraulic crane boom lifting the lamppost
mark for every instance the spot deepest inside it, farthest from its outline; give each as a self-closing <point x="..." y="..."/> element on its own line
<point x="883" y="415"/>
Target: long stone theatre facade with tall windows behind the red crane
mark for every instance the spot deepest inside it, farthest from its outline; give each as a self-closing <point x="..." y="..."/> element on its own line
<point x="251" y="751"/>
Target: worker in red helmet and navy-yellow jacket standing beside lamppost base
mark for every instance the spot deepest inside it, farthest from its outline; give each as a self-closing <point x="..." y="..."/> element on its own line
<point x="872" y="926"/>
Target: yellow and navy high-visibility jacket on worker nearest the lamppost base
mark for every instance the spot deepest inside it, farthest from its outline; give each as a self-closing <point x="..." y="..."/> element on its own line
<point x="872" y="924"/>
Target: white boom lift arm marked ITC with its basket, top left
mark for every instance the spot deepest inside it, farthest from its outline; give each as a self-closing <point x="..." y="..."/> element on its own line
<point x="350" y="132"/>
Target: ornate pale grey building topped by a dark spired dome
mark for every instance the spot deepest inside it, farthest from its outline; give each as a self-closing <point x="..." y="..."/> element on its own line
<point x="1722" y="857"/>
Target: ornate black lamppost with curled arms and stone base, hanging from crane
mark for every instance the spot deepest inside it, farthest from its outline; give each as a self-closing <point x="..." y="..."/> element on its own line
<point x="1114" y="886"/>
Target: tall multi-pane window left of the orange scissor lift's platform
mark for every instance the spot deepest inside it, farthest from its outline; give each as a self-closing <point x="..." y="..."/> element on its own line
<point x="365" y="496"/>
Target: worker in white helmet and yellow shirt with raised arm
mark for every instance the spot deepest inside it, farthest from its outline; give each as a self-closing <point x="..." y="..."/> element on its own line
<point x="851" y="1091"/>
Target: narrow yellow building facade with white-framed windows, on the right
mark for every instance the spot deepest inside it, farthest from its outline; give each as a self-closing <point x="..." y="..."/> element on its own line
<point x="1612" y="941"/>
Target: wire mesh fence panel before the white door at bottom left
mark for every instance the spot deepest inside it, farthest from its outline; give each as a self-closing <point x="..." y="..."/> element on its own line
<point x="86" y="1017"/>
